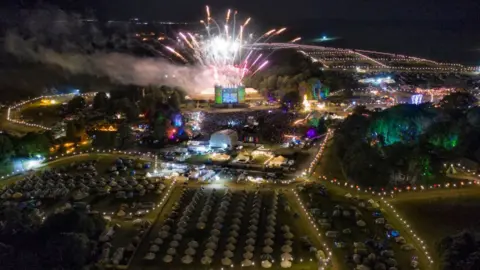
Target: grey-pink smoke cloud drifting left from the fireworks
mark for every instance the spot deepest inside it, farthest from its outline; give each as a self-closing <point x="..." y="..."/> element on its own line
<point x="77" y="55"/>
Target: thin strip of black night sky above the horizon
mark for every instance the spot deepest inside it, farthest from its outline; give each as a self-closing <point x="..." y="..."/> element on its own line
<point x="277" y="11"/>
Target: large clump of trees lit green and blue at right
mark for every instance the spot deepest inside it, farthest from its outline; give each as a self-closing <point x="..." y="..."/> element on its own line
<point x="408" y="144"/>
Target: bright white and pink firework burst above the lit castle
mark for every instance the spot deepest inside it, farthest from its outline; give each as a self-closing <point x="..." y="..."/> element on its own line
<point x="224" y="48"/>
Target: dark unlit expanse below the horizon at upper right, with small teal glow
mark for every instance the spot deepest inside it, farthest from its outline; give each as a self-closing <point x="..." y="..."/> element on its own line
<point x="449" y="41"/>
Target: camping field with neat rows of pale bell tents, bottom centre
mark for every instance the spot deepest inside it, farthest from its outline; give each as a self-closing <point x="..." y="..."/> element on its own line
<point x="225" y="228"/>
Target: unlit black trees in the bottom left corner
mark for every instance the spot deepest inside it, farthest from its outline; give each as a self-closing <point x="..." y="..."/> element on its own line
<point x="67" y="240"/>
